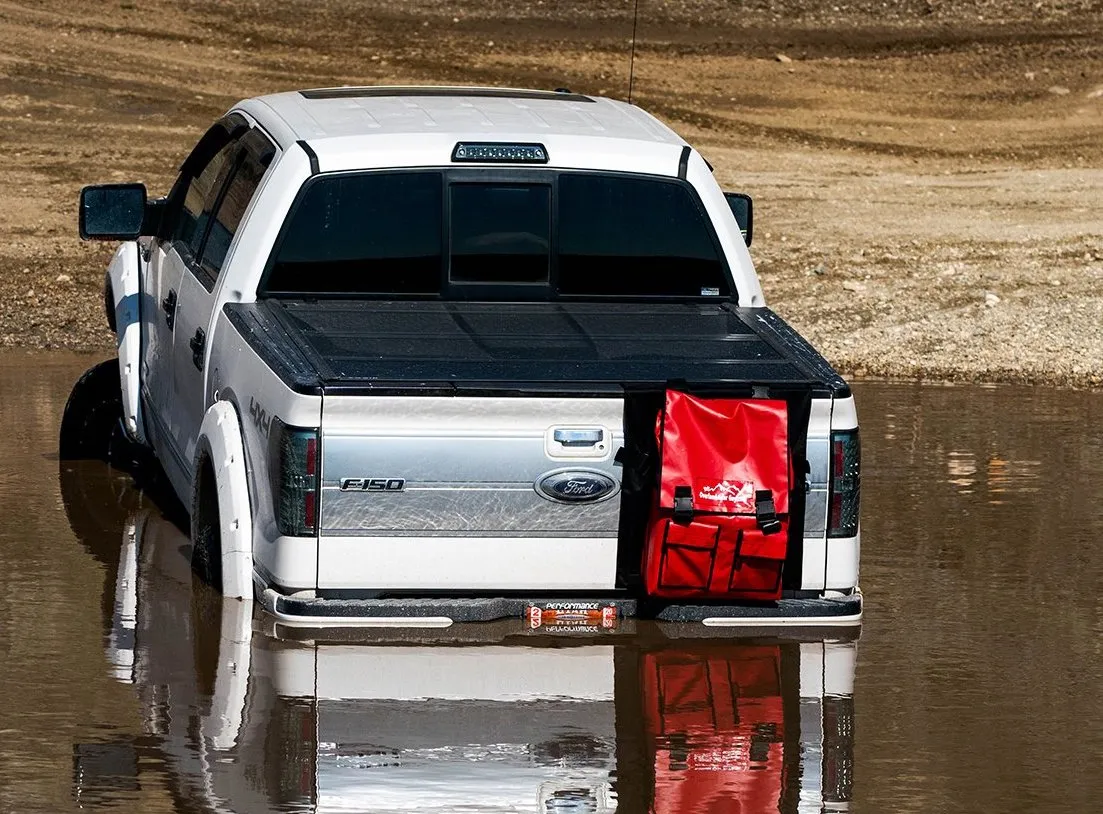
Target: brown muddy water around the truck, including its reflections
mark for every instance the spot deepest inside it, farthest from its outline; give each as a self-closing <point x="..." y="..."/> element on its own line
<point x="976" y="686"/>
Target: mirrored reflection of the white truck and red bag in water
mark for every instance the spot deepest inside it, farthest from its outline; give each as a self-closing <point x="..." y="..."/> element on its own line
<point x="244" y="716"/>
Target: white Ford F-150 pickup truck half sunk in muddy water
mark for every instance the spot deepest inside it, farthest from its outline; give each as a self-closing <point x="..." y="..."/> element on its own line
<point x="414" y="356"/>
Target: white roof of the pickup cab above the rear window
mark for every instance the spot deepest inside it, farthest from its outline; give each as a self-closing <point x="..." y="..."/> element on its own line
<point x="340" y="124"/>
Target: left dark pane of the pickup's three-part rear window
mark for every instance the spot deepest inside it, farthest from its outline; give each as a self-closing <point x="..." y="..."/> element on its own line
<point x="378" y="233"/>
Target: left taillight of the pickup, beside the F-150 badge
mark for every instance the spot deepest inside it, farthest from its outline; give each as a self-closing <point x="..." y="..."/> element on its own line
<point x="294" y="463"/>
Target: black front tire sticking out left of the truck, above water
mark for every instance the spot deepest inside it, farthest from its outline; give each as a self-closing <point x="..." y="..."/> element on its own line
<point x="92" y="424"/>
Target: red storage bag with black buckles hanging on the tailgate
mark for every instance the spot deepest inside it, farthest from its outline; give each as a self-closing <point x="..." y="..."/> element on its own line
<point x="721" y="523"/>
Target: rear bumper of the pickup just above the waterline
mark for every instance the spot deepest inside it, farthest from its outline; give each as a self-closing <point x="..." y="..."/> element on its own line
<point x="304" y="610"/>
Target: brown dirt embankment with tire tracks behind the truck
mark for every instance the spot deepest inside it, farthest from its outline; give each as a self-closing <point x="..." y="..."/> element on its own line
<point x="927" y="174"/>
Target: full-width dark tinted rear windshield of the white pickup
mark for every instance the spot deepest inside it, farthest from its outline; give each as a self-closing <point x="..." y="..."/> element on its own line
<point x="566" y="235"/>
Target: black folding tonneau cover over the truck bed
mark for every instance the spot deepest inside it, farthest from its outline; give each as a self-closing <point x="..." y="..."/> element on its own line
<point x="584" y="348"/>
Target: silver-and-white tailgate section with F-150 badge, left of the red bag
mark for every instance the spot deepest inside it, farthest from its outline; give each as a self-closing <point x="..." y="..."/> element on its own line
<point x="469" y="492"/>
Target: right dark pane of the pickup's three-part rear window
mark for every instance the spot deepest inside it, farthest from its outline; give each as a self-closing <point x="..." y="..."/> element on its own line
<point x="631" y="237"/>
